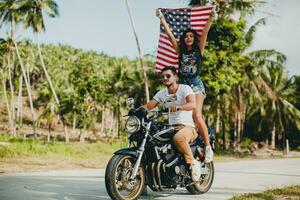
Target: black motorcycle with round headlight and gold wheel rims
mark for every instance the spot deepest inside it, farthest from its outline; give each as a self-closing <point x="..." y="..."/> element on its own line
<point x="151" y="159"/>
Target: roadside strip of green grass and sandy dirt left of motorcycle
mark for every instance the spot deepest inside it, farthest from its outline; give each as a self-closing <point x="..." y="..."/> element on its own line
<point x="18" y="154"/>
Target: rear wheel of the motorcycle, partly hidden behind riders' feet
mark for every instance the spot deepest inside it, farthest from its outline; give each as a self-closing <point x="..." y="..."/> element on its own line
<point x="205" y="182"/>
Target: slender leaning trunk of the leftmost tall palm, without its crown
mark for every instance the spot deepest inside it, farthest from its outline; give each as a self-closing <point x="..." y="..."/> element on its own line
<point x="27" y="87"/>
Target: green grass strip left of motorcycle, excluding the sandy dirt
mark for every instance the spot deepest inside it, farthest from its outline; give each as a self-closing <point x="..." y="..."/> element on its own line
<point x="16" y="147"/>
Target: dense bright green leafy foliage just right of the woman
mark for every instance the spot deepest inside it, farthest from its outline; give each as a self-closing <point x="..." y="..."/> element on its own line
<point x="224" y="64"/>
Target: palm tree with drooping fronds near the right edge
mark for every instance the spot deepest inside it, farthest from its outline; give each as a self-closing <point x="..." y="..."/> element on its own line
<point x="272" y="80"/>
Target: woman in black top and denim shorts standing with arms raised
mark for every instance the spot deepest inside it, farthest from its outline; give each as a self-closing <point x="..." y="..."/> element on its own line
<point x="190" y="50"/>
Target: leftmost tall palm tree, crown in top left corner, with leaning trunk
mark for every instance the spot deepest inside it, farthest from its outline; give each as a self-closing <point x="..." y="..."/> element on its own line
<point x="10" y="13"/>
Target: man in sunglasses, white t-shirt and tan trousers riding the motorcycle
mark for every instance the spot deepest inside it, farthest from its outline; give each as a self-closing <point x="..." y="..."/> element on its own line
<point x="180" y="100"/>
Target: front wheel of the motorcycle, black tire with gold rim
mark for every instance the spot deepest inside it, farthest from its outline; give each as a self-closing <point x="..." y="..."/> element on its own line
<point x="117" y="175"/>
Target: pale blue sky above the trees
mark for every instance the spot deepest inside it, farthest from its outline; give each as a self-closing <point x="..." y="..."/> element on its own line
<point x="104" y="26"/>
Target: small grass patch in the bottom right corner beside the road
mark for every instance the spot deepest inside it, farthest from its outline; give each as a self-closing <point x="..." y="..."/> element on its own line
<point x="290" y="192"/>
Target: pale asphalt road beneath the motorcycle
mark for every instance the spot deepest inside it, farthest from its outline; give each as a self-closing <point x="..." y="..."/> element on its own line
<point x="231" y="178"/>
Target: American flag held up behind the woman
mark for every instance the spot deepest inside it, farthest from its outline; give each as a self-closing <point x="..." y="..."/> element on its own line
<point x="179" y="19"/>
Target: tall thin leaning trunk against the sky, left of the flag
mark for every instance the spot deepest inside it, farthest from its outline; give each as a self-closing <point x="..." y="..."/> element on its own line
<point x="140" y="54"/>
